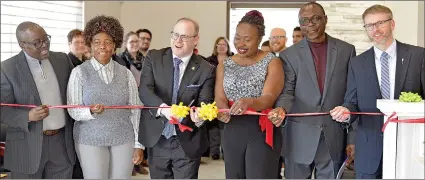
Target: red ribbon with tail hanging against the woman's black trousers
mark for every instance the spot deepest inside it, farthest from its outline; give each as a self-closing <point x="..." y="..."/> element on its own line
<point x="264" y="122"/>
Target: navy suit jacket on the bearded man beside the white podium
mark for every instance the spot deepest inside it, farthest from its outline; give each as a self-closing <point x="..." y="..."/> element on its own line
<point x="363" y="90"/>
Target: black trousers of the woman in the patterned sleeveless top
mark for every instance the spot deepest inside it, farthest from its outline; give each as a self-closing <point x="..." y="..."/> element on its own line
<point x="247" y="154"/>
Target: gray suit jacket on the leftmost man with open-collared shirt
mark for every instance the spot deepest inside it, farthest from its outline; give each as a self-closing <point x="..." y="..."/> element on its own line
<point x="24" y="139"/>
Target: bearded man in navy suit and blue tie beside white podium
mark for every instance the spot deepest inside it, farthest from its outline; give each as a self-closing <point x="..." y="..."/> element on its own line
<point x="382" y="72"/>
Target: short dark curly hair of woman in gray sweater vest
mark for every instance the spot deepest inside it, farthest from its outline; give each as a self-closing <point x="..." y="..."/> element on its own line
<point x="106" y="24"/>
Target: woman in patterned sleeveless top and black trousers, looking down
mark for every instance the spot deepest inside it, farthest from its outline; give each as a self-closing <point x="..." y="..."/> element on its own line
<point x="250" y="80"/>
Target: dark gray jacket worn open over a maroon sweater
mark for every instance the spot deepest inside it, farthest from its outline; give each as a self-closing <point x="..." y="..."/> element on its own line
<point x="301" y="94"/>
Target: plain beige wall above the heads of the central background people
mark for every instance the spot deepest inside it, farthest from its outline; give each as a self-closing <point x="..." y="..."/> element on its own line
<point x="211" y="16"/>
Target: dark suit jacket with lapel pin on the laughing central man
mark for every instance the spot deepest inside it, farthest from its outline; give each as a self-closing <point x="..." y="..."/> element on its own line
<point x="156" y="88"/>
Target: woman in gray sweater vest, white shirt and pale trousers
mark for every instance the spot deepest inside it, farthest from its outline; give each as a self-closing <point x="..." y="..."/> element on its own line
<point x="105" y="140"/>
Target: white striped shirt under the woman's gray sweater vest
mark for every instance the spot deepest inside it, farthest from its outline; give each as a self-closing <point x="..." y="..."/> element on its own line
<point x="106" y="73"/>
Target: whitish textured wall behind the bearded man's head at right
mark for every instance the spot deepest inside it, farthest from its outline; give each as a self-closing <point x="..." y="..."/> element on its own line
<point x="345" y="21"/>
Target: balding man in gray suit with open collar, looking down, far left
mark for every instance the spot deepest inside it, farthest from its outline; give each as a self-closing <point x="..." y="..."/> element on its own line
<point x="39" y="142"/>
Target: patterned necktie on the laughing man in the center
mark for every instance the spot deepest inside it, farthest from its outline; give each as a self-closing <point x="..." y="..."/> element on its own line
<point x="170" y="129"/>
